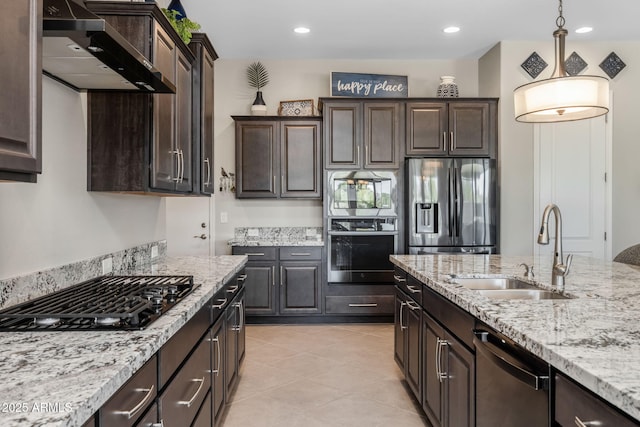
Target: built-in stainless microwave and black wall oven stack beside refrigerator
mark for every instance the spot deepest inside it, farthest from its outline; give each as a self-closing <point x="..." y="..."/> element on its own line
<point x="362" y="226"/>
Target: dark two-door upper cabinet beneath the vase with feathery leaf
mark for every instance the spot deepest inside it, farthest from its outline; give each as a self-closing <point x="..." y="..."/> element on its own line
<point x="278" y="157"/>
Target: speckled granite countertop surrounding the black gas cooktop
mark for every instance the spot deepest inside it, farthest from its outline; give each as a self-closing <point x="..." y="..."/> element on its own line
<point x="62" y="378"/>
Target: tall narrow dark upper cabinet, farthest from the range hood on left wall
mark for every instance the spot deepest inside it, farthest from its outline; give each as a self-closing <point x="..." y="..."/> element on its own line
<point x="203" y="91"/>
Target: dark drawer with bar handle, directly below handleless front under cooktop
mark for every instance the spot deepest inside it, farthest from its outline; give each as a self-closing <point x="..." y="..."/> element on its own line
<point x="182" y="398"/>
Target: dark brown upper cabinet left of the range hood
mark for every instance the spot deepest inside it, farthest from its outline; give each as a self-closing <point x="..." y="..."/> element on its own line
<point x="21" y="100"/>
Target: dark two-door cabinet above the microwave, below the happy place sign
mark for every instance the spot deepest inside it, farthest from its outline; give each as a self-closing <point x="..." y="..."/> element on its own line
<point x="363" y="134"/>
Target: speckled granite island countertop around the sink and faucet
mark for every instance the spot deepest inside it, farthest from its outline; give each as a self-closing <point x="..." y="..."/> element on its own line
<point x="593" y="337"/>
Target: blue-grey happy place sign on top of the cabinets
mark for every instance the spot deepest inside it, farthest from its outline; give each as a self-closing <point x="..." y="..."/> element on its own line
<point x="369" y="85"/>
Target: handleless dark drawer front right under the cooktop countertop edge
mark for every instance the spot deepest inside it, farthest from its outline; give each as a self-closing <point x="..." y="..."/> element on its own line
<point x="175" y="351"/>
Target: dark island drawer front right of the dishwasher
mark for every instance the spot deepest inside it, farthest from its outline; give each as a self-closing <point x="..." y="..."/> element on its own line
<point x="573" y="402"/>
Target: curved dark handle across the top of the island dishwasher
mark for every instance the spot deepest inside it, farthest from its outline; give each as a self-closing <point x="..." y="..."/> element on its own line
<point x="490" y="346"/>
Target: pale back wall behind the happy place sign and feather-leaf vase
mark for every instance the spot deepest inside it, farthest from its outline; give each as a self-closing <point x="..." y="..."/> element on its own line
<point x="300" y="79"/>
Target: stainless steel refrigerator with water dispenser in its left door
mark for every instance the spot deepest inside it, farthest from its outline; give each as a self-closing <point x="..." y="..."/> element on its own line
<point x="451" y="205"/>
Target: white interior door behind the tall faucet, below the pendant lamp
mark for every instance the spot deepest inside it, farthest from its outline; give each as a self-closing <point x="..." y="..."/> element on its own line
<point x="572" y="160"/>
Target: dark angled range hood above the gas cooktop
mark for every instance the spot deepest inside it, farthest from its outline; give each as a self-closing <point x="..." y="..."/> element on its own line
<point x="84" y="51"/>
